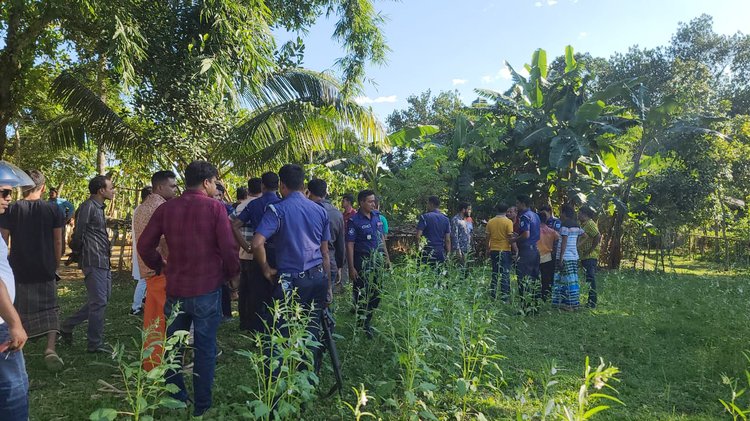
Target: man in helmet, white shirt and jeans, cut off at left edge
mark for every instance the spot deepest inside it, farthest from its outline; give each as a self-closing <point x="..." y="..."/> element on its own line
<point x="14" y="383"/>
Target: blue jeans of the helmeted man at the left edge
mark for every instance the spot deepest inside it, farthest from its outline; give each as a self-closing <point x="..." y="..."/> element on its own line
<point x="14" y="383"/>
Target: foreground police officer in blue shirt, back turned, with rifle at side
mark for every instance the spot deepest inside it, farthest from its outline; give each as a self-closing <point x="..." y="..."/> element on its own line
<point x="299" y="227"/>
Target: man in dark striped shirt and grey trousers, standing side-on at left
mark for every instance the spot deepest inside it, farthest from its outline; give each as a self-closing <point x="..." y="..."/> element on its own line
<point x="91" y="242"/>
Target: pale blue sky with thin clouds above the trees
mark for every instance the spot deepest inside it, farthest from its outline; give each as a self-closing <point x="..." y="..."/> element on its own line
<point x="447" y="44"/>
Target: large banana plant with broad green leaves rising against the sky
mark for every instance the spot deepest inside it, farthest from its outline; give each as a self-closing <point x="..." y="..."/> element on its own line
<point x="559" y="127"/>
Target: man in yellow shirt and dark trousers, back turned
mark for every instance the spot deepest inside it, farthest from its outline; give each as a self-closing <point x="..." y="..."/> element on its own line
<point x="499" y="232"/>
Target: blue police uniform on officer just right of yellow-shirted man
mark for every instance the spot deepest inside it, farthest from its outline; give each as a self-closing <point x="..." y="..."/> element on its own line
<point x="527" y="267"/>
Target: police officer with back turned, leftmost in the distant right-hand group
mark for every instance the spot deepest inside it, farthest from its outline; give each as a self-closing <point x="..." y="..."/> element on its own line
<point x="435" y="226"/>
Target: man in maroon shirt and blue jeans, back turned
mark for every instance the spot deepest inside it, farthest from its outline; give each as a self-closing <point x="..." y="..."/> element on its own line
<point x="202" y="255"/>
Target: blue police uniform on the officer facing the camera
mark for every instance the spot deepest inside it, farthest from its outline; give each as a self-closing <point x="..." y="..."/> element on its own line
<point x="367" y="235"/>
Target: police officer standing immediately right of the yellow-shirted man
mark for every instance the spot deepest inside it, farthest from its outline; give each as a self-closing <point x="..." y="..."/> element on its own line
<point x="527" y="266"/>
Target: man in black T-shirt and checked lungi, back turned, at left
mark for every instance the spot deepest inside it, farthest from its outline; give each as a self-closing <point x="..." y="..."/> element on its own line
<point x="35" y="228"/>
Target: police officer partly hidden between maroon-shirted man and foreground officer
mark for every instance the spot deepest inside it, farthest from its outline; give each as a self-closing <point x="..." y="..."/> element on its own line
<point x="256" y="294"/>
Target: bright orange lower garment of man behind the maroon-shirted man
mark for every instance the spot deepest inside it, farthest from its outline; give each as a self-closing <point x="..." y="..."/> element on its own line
<point x="154" y="320"/>
